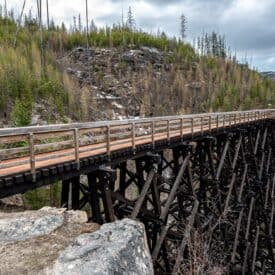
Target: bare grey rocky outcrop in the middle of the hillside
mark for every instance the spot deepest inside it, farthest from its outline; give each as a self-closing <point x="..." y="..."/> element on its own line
<point x="112" y="77"/>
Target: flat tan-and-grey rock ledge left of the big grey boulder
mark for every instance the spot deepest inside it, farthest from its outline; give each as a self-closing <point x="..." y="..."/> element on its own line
<point x="31" y="241"/>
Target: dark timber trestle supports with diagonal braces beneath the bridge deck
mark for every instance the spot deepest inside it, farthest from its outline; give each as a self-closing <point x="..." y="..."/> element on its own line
<point x="222" y="186"/>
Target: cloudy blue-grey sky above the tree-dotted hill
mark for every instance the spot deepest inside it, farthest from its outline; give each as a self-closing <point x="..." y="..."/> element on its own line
<point x="249" y="25"/>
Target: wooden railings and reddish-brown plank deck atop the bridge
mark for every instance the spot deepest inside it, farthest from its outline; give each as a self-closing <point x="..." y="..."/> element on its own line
<point x="37" y="144"/>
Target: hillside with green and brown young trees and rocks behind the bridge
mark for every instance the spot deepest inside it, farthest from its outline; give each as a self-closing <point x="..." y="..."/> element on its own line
<point x="124" y="73"/>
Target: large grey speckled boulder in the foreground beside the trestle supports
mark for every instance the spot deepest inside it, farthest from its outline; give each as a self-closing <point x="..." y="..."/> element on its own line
<point x="117" y="248"/>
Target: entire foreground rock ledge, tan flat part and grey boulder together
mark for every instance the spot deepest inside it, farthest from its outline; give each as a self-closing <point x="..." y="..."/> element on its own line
<point x="56" y="241"/>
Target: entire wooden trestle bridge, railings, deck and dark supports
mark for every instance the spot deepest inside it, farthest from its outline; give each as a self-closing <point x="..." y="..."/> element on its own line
<point x="208" y="173"/>
